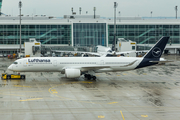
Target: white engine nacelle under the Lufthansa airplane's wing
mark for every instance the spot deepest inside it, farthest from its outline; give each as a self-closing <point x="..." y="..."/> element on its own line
<point x="72" y="73"/>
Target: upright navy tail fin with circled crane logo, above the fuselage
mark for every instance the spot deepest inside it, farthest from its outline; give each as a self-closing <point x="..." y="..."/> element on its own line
<point x="156" y="51"/>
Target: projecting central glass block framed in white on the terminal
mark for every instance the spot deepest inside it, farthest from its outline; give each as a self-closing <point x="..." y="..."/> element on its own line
<point x="88" y="34"/>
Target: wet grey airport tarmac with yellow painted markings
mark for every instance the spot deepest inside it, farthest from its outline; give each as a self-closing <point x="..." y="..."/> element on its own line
<point x="151" y="93"/>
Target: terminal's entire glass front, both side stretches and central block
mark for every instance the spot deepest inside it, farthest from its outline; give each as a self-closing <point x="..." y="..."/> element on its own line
<point x="87" y="34"/>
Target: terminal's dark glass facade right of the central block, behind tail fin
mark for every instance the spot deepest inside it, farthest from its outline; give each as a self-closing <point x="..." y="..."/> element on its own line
<point x="145" y="34"/>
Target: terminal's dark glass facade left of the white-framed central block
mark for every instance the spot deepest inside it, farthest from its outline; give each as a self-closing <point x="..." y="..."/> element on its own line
<point x="46" y="34"/>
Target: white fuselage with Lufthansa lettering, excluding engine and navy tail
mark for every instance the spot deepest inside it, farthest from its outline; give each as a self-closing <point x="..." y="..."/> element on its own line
<point x="58" y="64"/>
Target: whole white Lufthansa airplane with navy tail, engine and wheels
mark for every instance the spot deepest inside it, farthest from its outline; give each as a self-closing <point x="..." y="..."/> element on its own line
<point x="74" y="67"/>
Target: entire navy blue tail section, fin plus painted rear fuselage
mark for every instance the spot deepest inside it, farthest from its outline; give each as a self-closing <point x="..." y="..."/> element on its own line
<point x="154" y="53"/>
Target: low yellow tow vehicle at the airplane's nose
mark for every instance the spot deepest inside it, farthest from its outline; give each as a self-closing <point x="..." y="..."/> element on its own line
<point x="12" y="76"/>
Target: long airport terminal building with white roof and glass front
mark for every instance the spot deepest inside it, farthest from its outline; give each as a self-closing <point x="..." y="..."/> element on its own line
<point x="85" y="30"/>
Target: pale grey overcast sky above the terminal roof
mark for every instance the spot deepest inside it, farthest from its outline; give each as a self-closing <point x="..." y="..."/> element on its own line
<point x="104" y="8"/>
